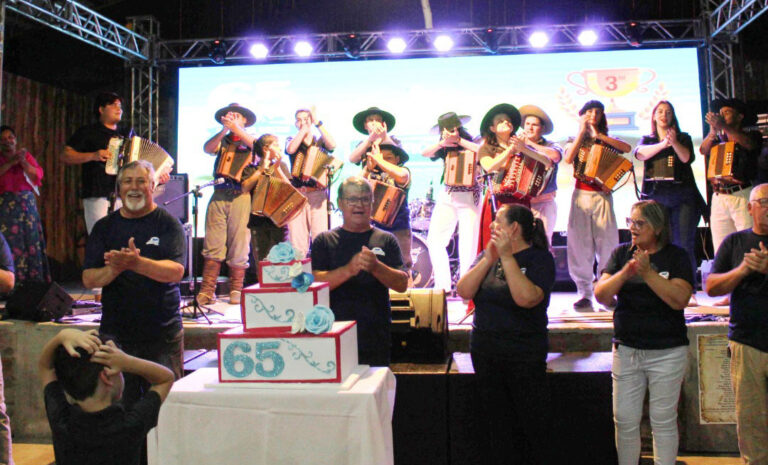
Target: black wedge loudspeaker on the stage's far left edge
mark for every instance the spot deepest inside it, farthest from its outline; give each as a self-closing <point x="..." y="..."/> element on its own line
<point x="39" y="301"/>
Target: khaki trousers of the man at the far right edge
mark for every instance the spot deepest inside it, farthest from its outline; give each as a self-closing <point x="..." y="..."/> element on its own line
<point x="749" y="377"/>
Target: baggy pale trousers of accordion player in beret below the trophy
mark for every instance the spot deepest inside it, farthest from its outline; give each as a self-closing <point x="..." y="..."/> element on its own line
<point x="591" y="231"/>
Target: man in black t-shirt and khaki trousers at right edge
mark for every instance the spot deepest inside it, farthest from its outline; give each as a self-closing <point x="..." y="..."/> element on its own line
<point x="741" y="268"/>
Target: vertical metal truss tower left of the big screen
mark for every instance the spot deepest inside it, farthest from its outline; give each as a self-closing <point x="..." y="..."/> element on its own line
<point x="145" y="82"/>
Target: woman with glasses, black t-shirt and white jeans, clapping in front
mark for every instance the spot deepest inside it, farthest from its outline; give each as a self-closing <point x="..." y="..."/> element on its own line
<point x="653" y="281"/>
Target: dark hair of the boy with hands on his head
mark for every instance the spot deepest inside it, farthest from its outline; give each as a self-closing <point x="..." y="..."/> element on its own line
<point x="78" y="376"/>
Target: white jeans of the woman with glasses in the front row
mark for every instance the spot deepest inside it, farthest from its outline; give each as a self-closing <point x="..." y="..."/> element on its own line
<point x="661" y="372"/>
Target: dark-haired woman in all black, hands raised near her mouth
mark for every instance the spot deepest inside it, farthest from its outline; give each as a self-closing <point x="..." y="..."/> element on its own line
<point x="510" y="284"/>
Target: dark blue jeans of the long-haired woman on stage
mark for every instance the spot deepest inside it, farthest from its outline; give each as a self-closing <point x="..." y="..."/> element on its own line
<point x="683" y="206"/>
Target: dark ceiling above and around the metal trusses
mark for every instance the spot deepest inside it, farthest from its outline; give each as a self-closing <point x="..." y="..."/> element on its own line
<point x="43" y="54"/>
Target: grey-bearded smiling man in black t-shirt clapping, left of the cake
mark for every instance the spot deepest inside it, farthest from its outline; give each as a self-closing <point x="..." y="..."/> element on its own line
<point x="137" y="254"/>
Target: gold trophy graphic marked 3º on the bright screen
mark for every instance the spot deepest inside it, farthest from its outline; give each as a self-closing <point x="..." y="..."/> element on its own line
<point x="612" y="84"/>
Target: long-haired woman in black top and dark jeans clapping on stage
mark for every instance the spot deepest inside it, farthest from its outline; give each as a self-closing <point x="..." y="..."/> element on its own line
<point x="667" y="154"/>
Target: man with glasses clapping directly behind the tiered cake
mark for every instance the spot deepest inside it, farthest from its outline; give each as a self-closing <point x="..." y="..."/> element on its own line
<point x="361" y="263"/>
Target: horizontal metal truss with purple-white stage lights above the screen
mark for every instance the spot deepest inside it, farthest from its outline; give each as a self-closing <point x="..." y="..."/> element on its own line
<point x="506" y="39"/>
